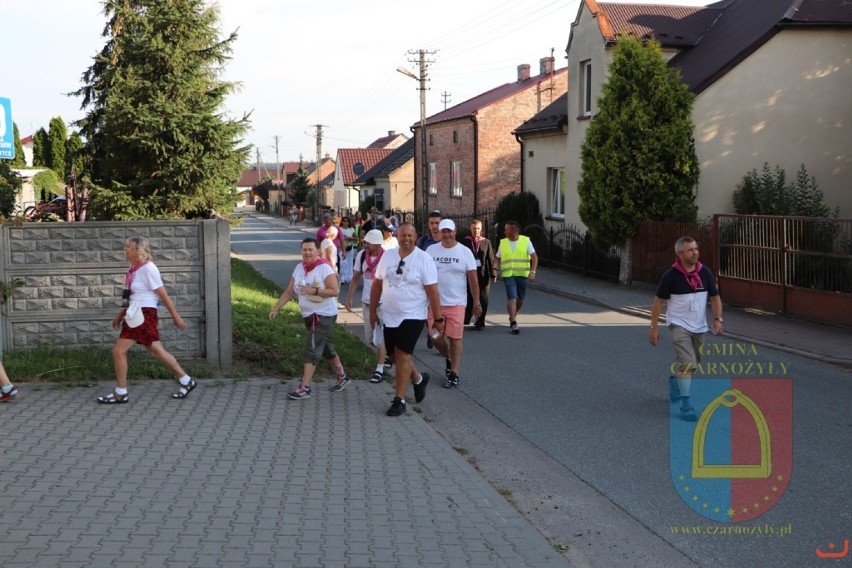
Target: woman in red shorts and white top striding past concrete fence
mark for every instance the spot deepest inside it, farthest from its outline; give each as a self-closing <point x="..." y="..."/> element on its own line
<point x="143" y="291"/>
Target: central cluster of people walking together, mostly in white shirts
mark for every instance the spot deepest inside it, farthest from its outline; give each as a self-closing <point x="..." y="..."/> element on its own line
<point x="409" y="284"/>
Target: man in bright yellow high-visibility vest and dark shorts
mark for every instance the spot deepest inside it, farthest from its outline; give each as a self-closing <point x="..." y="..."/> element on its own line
<point x="516" y="263"/>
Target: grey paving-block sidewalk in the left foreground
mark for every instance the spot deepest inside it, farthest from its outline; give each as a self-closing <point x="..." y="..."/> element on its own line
<point x="237" y="475"/>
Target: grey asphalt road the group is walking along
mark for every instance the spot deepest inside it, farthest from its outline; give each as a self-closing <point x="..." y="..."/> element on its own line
<point x="570" y="418"/>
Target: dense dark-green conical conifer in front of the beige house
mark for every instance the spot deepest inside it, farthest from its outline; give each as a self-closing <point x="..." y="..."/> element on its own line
<point x="638" y="156"/>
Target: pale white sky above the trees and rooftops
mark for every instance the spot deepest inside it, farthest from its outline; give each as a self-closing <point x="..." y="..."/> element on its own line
<point x="300" y="63"/>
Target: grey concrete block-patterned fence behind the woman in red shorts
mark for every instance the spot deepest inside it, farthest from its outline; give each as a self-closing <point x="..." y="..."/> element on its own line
<point x="66" y="281"/>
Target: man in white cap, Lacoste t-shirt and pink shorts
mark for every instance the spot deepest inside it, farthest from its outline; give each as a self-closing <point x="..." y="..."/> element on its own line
<point x="456" y="271"/>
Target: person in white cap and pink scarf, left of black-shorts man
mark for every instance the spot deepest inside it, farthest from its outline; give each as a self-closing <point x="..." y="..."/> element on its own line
<point x="366" y="263"/>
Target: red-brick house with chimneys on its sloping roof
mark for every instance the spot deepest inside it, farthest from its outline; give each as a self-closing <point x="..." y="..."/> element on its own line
<point x="471" y="152"/>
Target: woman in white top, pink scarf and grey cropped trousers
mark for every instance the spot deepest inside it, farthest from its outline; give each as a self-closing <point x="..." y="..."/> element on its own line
<point x="314" y="284"/>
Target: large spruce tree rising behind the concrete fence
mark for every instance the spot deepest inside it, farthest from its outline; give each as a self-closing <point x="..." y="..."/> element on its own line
<point x="158" y="142"/>
